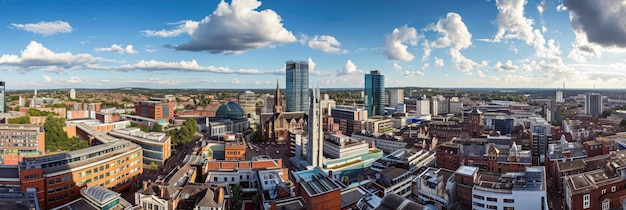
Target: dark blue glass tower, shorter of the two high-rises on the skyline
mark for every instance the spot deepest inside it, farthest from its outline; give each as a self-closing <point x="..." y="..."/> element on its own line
<point x="375" y="93"/>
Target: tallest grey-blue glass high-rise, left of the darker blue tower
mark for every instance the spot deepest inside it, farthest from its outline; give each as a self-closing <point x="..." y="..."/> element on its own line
<point x="297" y="86"/>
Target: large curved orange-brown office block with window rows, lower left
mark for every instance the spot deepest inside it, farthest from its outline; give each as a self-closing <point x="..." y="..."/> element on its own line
<point x="58" y="178"/>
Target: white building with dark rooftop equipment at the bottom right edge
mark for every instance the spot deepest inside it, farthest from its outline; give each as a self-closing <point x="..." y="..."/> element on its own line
<point x="523" y="190"/>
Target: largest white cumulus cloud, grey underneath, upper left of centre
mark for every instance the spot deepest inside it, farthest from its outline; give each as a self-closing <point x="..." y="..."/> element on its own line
<point x="231" y="29"/>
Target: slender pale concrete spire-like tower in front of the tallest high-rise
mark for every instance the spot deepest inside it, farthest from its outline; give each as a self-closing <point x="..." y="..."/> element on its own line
<point x="315" y="147"/>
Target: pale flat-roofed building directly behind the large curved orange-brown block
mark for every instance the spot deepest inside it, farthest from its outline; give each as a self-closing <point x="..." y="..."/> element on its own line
<point x="156" y="145"/>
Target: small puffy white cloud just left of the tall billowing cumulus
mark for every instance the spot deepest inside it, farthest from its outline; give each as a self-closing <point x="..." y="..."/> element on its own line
<point x="396" y="44"/>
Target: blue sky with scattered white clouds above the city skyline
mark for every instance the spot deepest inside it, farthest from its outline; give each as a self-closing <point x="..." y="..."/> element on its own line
<point x="244" y="44"/>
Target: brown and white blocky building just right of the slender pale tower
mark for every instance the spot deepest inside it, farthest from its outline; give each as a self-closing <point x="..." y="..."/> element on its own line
<point x="349" y="118"/>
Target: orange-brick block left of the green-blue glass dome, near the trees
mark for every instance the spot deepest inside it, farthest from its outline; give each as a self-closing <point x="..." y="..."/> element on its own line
<point x="156" y="108"/>
